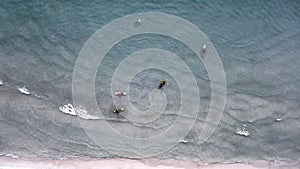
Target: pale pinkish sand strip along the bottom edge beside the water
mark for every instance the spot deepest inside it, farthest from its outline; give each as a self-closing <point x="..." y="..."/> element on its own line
<point x="121" y="163"/>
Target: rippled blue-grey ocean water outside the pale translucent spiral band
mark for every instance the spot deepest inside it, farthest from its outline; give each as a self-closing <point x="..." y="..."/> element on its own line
<point x="258" y="44"/>
